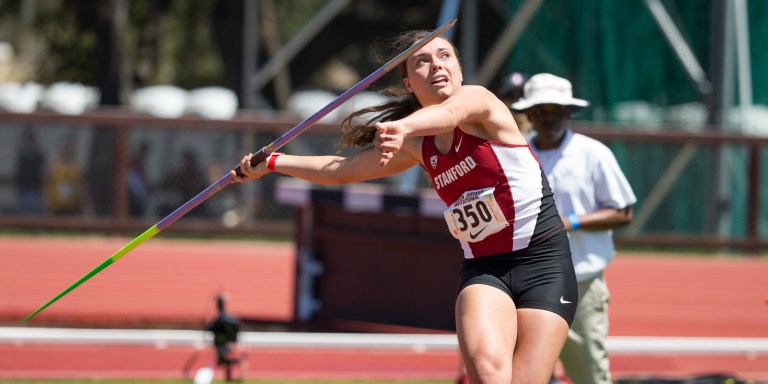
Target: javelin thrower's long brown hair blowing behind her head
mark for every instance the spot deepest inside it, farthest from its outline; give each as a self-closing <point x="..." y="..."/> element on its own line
<point x="357" y="128"/>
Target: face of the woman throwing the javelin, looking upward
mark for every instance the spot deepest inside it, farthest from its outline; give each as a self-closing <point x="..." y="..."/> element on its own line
<point x="433" y="72"/>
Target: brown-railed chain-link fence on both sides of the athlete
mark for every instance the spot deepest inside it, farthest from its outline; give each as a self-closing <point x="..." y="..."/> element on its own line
<point x="113" y="172"/>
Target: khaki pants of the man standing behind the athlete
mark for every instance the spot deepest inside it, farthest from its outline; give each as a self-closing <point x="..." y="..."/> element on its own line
<point x="584" y="356"/>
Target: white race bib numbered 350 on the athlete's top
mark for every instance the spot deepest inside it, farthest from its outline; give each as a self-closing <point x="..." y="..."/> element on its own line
<point x="475" y="215"/>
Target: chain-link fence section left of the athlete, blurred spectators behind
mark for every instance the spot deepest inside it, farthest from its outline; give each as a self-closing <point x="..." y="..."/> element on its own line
<point x="128" y="171"/>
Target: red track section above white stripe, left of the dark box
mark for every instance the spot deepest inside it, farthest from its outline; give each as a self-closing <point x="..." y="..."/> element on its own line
<point x="162" y="281"/>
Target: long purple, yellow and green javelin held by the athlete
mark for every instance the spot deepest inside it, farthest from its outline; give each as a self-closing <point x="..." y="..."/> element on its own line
<point x="260" y="156"/>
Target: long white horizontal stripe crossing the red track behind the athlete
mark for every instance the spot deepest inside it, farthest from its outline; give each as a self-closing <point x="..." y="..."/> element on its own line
<point x="631" y="345"/>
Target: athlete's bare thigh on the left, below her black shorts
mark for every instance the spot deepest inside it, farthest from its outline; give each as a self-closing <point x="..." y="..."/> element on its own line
<point x="486" y="323"/>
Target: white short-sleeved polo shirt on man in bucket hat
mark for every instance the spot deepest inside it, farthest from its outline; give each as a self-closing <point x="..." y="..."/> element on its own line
<point x="585" y="176"/>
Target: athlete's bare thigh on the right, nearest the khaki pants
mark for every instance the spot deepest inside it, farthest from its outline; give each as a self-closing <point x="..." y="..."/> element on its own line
<point x="541" y="335"/>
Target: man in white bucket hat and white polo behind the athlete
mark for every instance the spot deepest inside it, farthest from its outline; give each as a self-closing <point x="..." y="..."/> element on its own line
<point x="593" y="196"/>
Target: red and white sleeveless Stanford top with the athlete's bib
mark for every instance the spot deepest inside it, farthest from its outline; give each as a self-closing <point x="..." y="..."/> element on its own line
<point x="510" y="177"/>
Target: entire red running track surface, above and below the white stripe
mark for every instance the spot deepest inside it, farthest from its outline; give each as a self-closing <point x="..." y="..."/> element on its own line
<point x="175" y="282"/>
